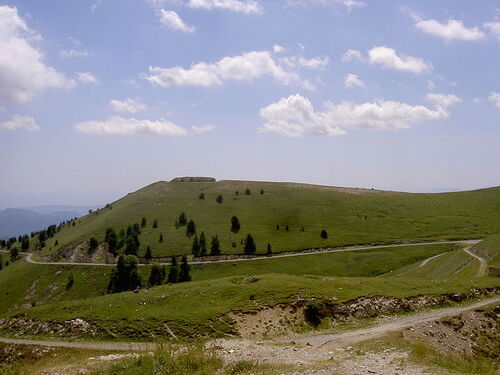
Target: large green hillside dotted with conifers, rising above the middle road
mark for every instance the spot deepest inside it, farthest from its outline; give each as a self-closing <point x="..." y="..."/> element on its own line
<point x="350" y="216"/>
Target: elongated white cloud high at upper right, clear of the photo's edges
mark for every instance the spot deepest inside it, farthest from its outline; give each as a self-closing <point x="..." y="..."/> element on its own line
<point x="452" y="30"/>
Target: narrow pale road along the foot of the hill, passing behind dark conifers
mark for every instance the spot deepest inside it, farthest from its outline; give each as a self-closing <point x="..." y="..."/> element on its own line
<point x="29" y="256"/>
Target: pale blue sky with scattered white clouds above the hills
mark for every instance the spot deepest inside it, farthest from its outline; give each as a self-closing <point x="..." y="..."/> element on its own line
<point x="99" y="98"/>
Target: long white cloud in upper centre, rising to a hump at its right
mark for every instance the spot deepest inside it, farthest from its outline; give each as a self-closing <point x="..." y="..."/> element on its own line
<point x="245" y="67"/>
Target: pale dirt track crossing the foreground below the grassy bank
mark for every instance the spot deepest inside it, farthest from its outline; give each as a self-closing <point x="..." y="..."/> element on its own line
<point x="321" y="341"/>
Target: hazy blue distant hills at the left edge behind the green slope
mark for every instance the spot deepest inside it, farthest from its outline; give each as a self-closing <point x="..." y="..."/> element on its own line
<point x="17" y="221"/>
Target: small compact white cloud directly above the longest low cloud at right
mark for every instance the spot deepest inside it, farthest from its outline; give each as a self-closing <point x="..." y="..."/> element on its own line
<point x="388" y="58"/>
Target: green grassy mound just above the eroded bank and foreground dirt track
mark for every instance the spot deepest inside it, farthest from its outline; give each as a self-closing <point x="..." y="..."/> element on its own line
<point x="197" y="308"/>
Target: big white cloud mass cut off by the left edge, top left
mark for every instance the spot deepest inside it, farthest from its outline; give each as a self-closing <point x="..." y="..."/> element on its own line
<point x="23" y="73"/>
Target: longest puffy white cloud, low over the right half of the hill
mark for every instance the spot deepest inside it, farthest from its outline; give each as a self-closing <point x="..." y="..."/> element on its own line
<point x="295" y="116"/>
